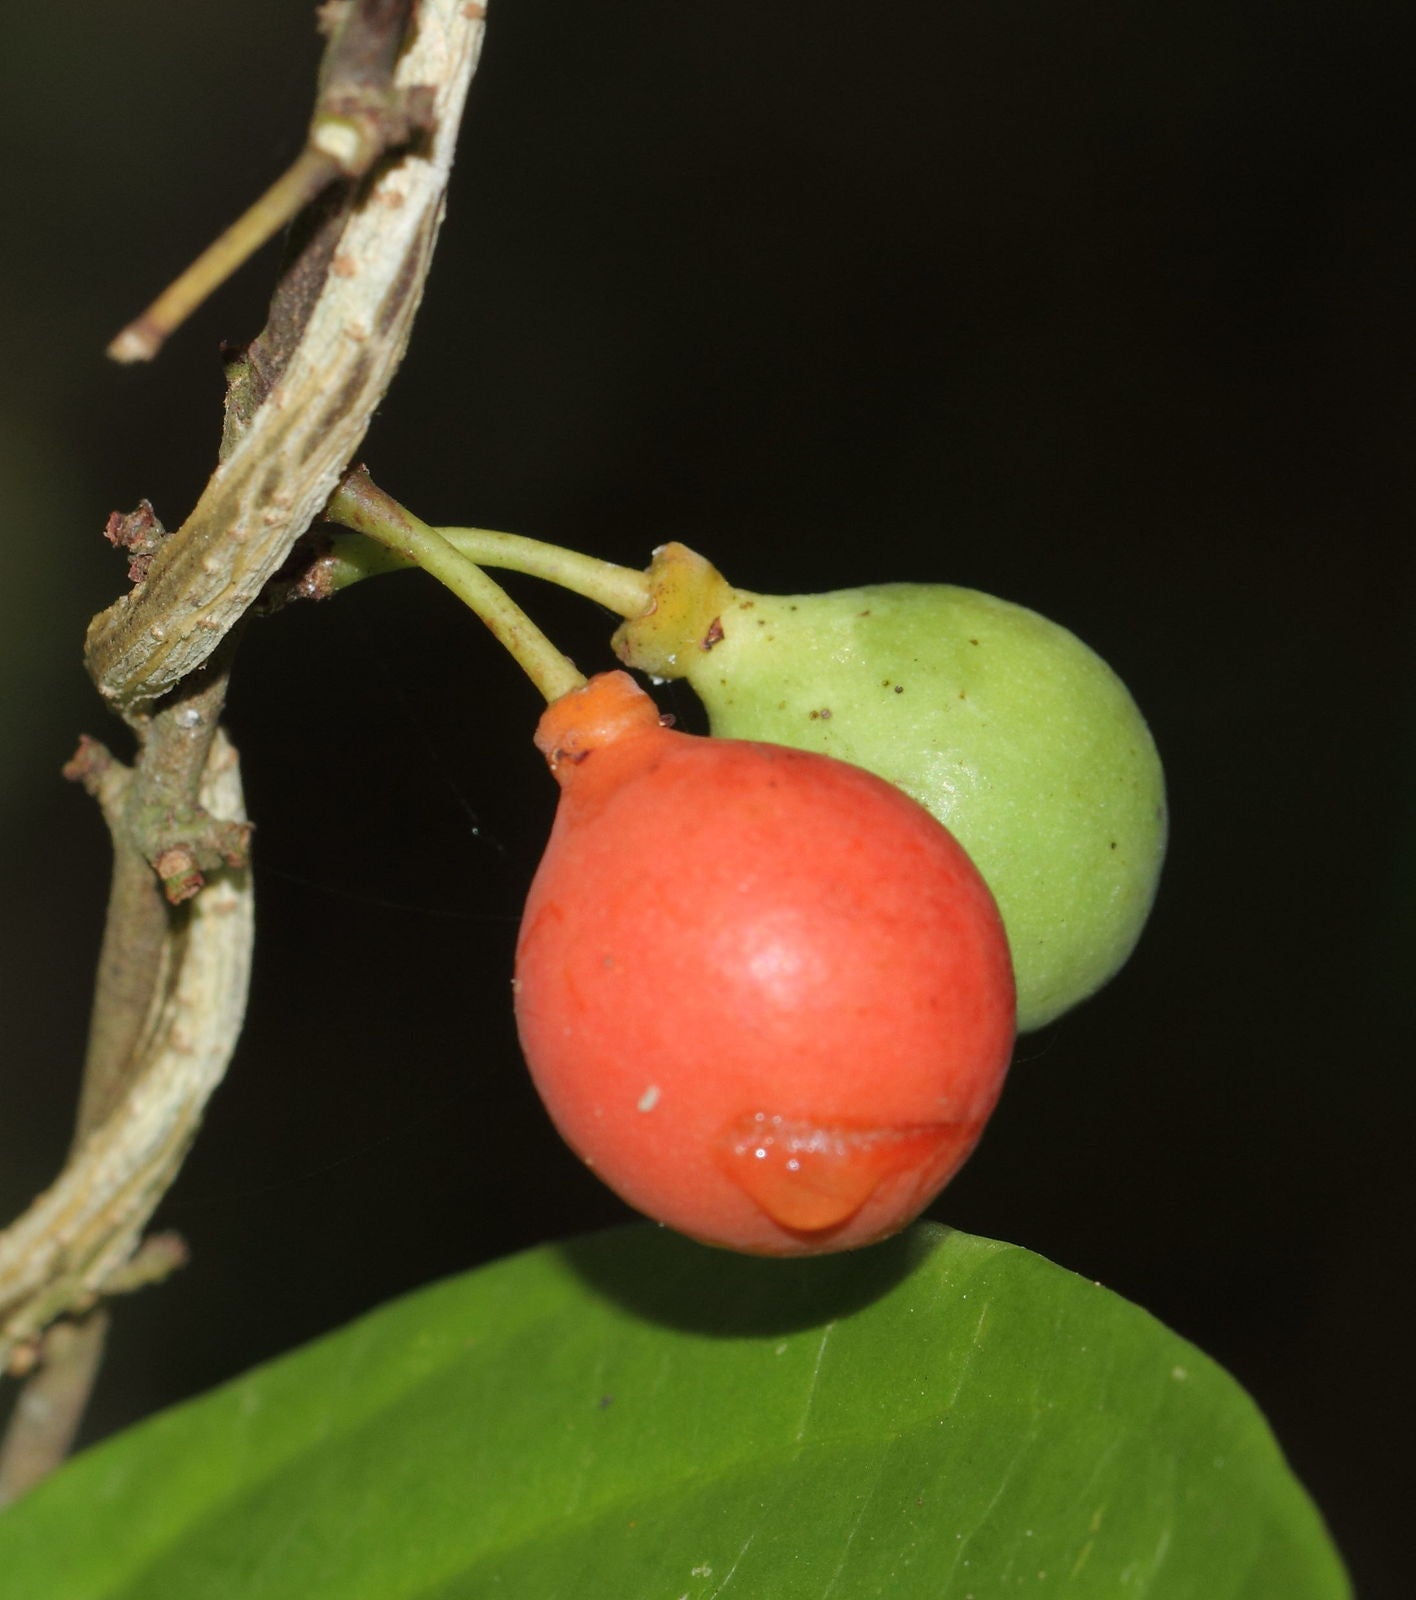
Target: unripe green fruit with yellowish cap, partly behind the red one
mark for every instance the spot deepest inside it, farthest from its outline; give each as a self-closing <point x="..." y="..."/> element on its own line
<point x="1007" y="727"/>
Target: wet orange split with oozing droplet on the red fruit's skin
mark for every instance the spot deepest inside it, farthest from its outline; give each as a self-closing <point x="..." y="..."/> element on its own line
<point x="810" y="1178"/>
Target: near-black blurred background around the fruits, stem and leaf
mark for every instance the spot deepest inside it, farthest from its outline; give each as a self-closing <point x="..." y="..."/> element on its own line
<point x="1106" y="310"/>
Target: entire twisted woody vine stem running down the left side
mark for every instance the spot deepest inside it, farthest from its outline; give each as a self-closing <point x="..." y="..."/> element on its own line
<point x="174" y="975"/>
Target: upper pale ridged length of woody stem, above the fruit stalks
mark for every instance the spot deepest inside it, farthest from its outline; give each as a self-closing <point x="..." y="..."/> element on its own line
<point x="305" y="431"/>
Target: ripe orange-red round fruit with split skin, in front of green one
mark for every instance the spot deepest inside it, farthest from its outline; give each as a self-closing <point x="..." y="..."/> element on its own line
<point x="764" y="994"/>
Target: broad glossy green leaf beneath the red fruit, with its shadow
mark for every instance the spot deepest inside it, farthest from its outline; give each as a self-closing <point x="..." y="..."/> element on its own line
<point x="638" y="1418"/>
